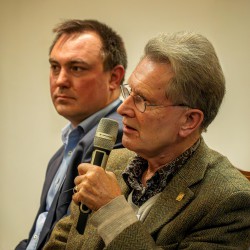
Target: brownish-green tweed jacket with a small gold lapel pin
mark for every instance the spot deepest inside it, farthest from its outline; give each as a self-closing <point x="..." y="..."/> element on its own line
<point x="212" y="212"/>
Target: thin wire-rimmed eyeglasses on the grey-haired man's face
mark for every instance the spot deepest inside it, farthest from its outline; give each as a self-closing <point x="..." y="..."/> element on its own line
<point x="140" y="103"/>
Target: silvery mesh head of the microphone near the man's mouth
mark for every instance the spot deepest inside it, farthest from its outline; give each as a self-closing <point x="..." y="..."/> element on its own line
<point x="106" y="134"/>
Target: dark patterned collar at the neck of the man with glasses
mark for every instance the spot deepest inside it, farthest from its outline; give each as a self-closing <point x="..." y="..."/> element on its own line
<point x="133" y="175"/>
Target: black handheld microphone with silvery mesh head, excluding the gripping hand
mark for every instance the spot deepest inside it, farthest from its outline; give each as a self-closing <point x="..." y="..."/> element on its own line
<point x="104" y="142"/>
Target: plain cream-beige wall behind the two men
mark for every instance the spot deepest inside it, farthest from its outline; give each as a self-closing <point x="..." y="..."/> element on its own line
<point x="30" y="128"/>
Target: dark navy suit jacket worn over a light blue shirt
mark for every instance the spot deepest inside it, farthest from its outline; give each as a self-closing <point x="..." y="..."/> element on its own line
<point x="59" y="207"/>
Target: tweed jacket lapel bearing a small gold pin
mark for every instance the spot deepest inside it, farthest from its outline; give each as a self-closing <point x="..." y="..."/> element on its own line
<point x="178" y="193"/>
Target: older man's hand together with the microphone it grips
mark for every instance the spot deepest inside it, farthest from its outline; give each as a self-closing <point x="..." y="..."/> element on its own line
<point x="94" y="186"/>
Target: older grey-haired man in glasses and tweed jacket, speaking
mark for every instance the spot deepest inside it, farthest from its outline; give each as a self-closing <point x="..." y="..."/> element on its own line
<point x="176" y="192"/>
